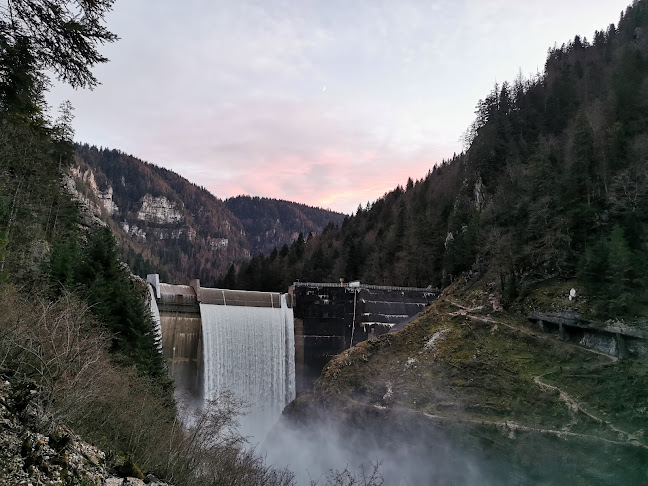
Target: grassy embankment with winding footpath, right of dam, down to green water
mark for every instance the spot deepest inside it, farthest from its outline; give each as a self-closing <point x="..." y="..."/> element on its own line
<point x="524" y="406"/>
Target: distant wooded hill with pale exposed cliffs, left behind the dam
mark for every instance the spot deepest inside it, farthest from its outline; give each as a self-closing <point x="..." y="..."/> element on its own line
<point x="164" y="224"/>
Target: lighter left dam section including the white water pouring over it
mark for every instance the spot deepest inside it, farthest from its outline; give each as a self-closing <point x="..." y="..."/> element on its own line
<point x="217" y="341"/>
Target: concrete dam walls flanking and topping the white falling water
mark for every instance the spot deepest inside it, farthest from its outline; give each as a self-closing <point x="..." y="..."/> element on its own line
<point x="328" y="318"/>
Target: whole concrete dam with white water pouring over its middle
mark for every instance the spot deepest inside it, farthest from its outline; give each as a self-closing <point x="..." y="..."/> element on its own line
<point x="266" y="347"/>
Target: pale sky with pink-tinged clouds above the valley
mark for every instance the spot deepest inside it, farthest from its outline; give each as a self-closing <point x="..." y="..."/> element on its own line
<point x="328" y="103"/>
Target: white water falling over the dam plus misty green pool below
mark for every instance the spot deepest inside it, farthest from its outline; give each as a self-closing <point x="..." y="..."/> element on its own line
<point x="249" y="352"/>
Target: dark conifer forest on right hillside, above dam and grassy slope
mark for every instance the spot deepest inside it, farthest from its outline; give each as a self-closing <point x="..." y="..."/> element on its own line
<point x="553" y="182"/>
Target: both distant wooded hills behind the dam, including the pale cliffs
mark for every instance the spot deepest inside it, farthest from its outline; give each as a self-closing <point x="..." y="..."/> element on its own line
<point x="167" y="225"/>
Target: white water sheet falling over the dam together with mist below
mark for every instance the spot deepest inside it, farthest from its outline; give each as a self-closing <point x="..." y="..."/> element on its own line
<point x="249" y="351"/>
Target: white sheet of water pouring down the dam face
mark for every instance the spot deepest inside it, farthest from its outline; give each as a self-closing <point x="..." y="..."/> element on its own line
<point x="250" y="352"/>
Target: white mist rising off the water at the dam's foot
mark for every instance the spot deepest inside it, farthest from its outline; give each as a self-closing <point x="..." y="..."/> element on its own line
<point x="406" y="456"/>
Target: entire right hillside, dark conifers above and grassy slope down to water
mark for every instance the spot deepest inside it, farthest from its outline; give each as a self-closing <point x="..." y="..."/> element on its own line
<point x="550" y="195"/>
